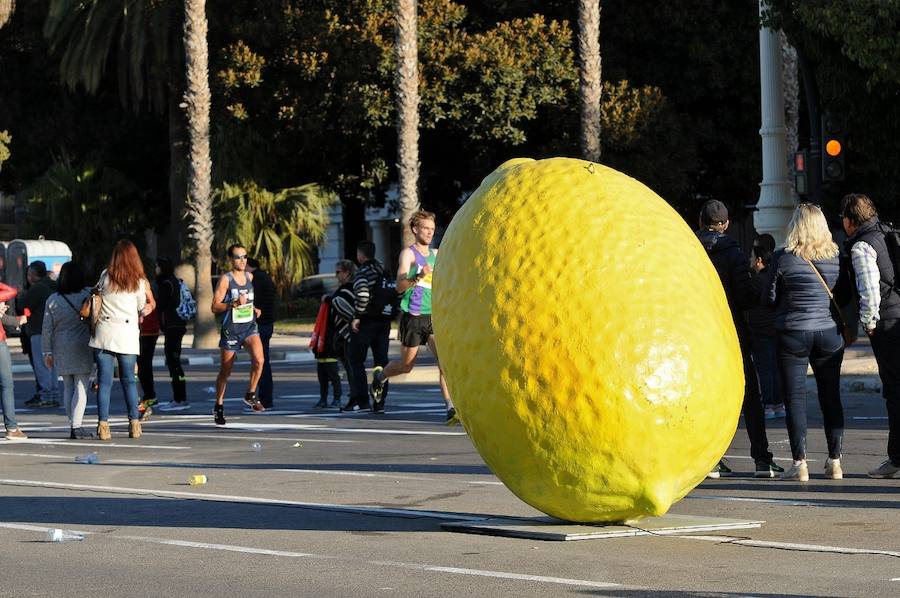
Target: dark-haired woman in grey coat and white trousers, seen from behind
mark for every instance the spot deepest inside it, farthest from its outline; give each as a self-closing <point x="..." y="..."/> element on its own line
<point x="65" y="343"/>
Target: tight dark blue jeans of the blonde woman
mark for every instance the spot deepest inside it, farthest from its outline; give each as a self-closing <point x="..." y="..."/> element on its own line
<point x="824" y="351"/>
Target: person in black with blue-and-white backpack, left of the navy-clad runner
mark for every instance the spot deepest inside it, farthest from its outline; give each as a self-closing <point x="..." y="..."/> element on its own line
<point x="172" y="304"/>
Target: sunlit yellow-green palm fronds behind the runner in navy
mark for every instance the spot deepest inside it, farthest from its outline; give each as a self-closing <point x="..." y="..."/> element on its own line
<point x="280" y="228"/>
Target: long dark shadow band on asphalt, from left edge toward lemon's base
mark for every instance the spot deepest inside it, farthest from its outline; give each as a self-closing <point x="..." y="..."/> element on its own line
<point x="71" y="512"/>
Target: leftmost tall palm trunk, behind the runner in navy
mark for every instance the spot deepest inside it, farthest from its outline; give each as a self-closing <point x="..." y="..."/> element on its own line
<point x="199" y="200"/>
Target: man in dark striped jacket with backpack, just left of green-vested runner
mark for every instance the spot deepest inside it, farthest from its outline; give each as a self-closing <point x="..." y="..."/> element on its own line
<point x="371" y="325"/>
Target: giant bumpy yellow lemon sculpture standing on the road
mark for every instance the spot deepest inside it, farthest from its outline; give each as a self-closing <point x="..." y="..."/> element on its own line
<point x="586" y="340"/>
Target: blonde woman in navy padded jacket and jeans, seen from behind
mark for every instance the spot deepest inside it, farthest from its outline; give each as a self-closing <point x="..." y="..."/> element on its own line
<point x="808" y="334"/>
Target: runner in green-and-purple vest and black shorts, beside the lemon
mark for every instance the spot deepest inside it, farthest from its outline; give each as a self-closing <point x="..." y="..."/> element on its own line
<point x="414" y="282"/>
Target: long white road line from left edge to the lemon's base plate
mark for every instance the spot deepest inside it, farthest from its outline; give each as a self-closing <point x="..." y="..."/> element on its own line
<point x="376" y="511"/>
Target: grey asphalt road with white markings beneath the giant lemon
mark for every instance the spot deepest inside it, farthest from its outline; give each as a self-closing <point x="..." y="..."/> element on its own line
<point x="352" y="505"/>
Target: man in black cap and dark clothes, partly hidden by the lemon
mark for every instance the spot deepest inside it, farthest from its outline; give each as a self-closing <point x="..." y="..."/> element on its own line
<point x="734" y="271"/>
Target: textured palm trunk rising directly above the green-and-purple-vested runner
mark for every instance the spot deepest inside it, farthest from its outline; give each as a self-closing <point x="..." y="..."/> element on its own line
<point x="407" y="89"/>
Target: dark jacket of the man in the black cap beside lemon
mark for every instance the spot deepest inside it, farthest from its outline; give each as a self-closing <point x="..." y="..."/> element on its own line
<point x="733" y="268"/>
